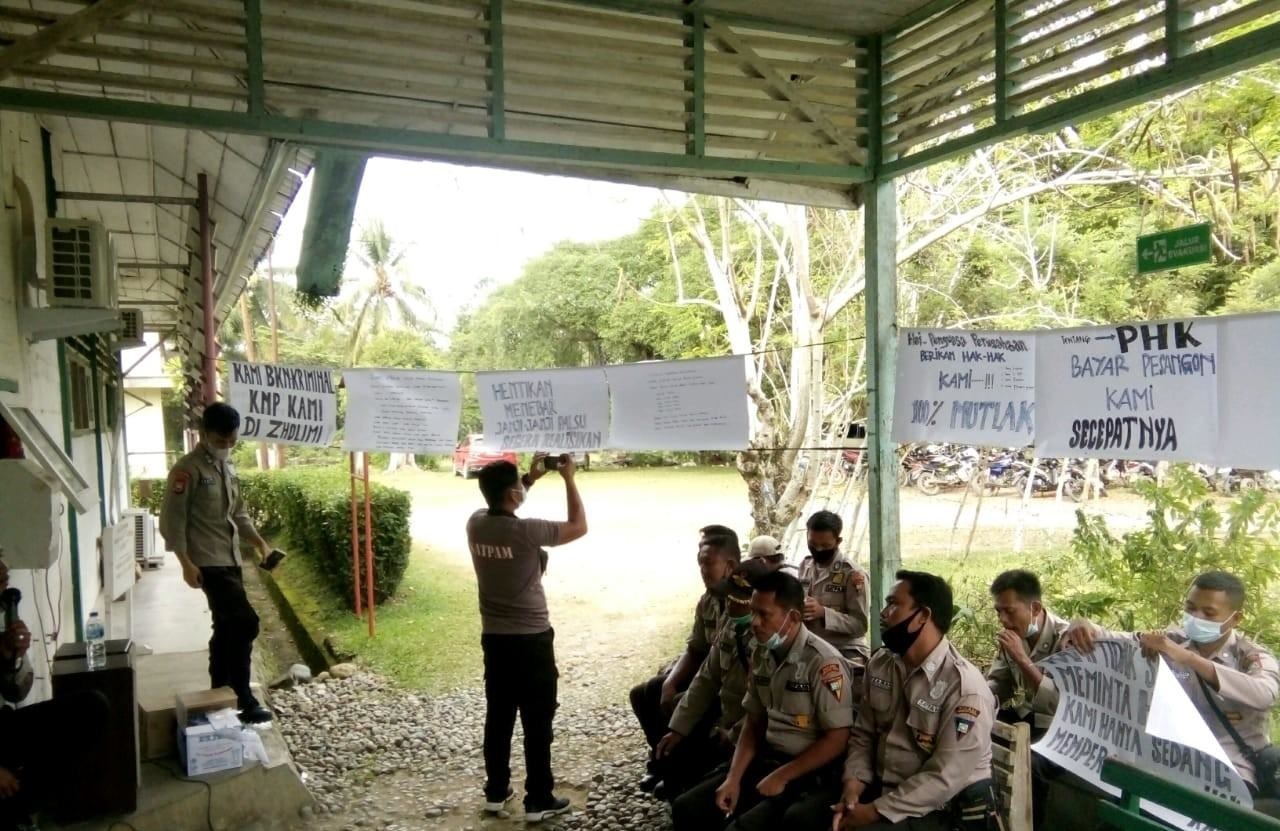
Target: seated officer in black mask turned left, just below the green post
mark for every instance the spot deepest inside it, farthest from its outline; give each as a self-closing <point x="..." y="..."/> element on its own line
<point x="920" y="755"/>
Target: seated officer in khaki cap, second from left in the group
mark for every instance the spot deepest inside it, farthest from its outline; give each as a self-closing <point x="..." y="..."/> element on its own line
<point x="702" y="736"/>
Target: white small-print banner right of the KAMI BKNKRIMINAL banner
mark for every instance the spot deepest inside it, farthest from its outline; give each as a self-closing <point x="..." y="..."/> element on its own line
<point x="403" y="410"/>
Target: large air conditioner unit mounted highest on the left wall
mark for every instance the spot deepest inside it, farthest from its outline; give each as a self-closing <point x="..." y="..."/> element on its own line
<point x="80" y="266"/>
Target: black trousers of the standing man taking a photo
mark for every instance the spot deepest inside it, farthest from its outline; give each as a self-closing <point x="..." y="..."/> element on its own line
<point x="519" y="677"/>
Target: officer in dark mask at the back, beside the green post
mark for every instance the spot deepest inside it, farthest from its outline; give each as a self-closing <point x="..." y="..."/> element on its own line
<point x="838" y="597"/>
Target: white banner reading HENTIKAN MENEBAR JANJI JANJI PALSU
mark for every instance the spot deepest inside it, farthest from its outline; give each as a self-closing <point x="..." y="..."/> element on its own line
<point x="555" y="410"/>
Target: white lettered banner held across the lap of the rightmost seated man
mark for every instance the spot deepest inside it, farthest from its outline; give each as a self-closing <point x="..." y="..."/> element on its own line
<point x="1107" y="698"/>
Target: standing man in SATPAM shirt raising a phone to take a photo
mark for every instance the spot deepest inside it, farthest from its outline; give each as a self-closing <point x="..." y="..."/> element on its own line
<point x="516" y="633"/>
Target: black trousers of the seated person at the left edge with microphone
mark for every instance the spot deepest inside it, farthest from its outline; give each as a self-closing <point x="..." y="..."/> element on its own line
<point x="40" y="743"/>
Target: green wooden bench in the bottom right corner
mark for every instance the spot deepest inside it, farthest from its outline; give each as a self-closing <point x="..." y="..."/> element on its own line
<point x="1137" y="784"/>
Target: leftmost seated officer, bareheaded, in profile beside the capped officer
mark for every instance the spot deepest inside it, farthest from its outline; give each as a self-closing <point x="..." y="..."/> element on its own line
<point x="655" y="701"/>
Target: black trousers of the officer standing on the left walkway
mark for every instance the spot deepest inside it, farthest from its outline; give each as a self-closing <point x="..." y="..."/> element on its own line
<point x="231" y="650"/>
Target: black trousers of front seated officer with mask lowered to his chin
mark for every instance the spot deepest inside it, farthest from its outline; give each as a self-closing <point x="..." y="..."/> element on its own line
<point x="796" y="809"/>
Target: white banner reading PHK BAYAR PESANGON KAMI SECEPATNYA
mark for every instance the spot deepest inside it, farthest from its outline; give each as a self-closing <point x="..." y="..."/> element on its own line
<point x="1144" y="391"/>
